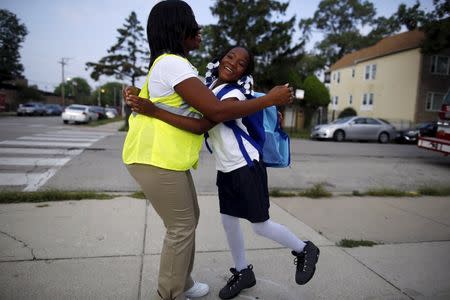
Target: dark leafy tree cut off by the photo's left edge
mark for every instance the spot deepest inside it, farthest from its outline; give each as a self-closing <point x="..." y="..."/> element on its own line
<point x="12" y="34"/>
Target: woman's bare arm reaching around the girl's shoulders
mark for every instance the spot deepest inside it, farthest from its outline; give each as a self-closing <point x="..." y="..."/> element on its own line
<point x="194" y="92"/>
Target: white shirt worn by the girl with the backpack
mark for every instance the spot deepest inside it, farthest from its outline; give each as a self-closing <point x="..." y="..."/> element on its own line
<point x="223" y="142"/>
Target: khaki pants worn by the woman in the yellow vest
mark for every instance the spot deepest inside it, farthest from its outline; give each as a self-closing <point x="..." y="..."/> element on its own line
<point x="173" y="196"/>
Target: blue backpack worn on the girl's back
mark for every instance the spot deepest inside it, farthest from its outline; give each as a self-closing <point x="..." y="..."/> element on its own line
<point x="265" y="134"/>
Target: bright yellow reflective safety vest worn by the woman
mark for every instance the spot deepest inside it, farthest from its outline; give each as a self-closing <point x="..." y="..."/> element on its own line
<point x="154" y="142"/>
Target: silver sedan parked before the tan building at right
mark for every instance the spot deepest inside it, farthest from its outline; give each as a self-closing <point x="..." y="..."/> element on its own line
<point x="355" y="128"/>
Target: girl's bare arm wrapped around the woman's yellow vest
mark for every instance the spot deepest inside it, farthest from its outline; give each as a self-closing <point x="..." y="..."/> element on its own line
<point x="146" y="107"/>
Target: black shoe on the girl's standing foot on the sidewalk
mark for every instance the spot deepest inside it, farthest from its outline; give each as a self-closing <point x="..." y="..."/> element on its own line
<point x="239" y="281"/>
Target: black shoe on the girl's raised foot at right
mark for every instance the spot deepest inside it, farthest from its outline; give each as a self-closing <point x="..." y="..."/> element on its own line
<point x="306" y="263"/>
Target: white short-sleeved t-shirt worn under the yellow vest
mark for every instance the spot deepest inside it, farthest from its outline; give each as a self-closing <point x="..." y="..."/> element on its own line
<point x="167" y="73"/>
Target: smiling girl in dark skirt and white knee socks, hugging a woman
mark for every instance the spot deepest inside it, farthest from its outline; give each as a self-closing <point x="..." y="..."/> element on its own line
<point x="243" y="191"/>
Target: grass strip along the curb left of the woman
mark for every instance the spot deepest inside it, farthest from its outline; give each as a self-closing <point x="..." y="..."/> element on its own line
<point x="49" y="195"/>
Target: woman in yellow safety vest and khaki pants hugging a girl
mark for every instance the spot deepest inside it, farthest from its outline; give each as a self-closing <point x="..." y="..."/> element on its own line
<point x="159" y="156"/>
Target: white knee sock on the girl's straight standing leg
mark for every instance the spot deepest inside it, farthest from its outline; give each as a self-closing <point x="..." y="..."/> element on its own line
<point x="235" y="240"/>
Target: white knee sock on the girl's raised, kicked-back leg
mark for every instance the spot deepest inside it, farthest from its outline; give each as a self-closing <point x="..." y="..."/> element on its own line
<point x="279" y="234"/>
